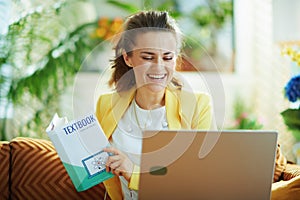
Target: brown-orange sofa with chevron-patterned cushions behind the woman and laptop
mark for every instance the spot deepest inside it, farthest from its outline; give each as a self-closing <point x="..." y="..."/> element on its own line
<point x="31" y="169"/>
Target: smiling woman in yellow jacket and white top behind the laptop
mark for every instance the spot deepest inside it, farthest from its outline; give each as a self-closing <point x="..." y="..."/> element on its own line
<point x="147" y="96"/>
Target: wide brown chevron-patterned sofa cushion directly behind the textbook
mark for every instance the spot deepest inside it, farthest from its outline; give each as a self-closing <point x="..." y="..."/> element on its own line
<point x="37" y="173"/>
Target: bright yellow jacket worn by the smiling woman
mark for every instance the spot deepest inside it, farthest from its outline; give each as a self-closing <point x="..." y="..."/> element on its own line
<point x="185" y="110"/>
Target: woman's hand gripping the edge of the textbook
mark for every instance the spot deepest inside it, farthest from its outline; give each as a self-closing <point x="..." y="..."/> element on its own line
<point x="119" y="164"/>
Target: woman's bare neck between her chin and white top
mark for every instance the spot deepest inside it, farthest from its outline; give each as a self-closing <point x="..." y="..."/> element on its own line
<point x="149" y="101"/>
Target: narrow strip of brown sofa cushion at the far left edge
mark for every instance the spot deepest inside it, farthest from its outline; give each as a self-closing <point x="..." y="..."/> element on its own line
<point x="4" y="170"/>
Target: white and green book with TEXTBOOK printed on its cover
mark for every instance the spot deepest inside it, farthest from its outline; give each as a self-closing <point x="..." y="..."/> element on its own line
<point x="79" y="145"/>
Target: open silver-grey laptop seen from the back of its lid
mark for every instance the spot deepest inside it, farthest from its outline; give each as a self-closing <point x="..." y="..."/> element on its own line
<point x="239" y="165"/>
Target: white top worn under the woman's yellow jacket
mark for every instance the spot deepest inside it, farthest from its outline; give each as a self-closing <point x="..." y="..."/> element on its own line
<point x="127" y="136"/>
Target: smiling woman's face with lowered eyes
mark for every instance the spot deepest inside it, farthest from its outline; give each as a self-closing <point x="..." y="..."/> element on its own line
<point x="153" y="60"/>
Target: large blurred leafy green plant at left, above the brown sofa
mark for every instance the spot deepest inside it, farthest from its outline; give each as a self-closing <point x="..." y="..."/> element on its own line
<point x="41" y="53"/>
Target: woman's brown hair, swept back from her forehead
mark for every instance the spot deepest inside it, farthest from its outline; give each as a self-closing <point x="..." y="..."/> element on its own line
<point x="145" y="21"/>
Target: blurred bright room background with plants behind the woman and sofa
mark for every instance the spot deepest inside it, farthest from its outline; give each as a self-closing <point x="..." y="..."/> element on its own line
<point x="54" y="57"/>
